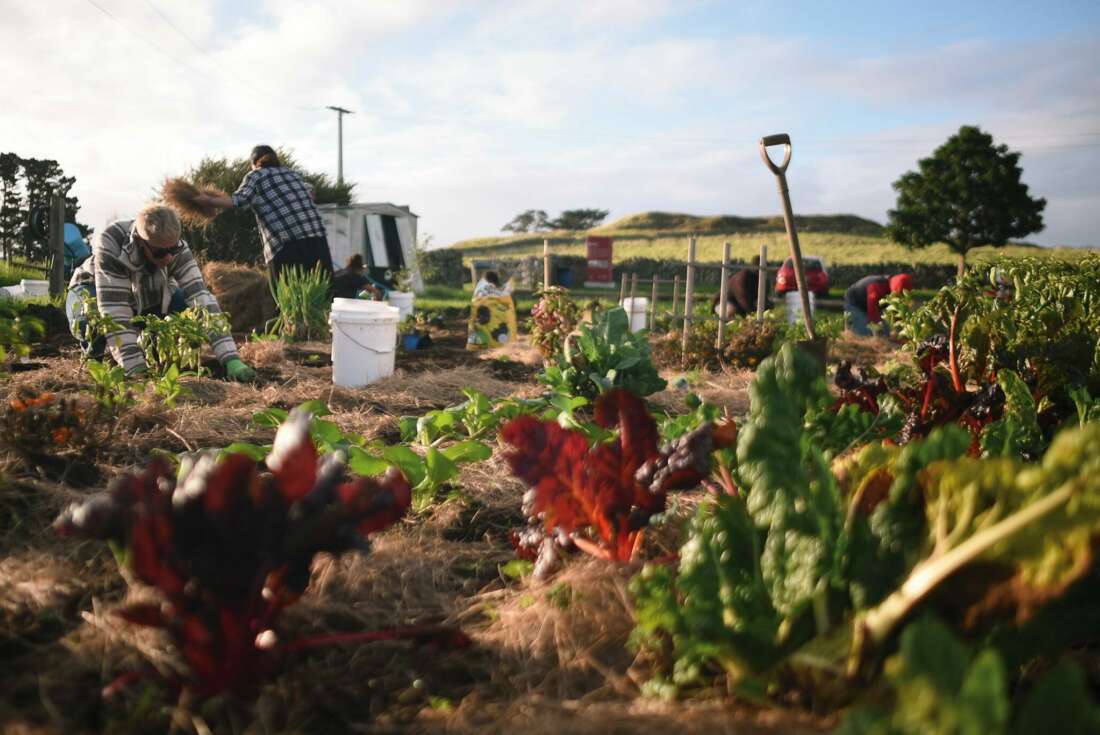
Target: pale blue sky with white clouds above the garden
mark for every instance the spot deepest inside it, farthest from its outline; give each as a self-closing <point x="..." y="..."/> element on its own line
<point x="471" y="112"/>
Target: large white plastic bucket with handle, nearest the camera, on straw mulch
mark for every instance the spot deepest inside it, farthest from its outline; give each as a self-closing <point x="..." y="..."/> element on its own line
<point x="365" y="338"/>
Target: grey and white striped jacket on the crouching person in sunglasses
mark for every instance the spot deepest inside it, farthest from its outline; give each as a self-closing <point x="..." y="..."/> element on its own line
<point x="128" y="286"/>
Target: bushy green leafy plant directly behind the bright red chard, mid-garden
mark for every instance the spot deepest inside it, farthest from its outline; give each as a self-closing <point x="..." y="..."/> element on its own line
<point x="602" y="356"/>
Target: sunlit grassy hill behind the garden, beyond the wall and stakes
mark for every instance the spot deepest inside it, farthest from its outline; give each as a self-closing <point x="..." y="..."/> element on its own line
<point x="837" y="238"/>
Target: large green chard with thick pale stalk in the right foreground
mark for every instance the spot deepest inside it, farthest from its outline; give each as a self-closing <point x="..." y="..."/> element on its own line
<point x="807" y="564"/>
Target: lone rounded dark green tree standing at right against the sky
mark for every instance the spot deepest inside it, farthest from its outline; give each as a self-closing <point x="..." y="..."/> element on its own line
<point x="967" y="194"/>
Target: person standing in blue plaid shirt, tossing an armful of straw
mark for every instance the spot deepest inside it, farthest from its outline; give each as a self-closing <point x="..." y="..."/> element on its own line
<point x="290" y="225"/>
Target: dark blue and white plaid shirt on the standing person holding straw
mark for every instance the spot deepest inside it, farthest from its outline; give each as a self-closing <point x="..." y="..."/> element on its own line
<point x="283" y="209"/>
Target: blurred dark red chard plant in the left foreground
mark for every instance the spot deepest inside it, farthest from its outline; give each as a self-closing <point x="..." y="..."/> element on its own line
<point x="228" y="548"/>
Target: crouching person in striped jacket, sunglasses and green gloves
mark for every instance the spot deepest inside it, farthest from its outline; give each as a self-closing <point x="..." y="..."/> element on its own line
<point x="140" y="268"/>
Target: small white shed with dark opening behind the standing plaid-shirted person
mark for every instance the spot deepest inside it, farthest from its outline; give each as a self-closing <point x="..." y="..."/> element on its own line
<point x="383" y="234"/>
